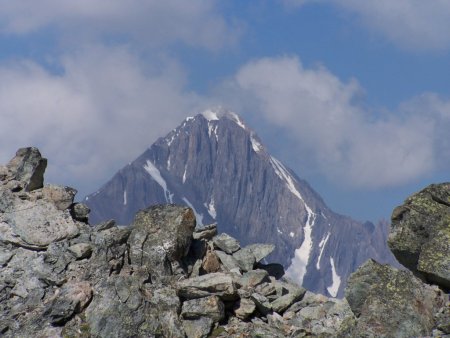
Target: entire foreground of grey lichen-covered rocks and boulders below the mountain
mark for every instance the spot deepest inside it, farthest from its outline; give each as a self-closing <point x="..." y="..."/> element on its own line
<point x="163" y="277"/>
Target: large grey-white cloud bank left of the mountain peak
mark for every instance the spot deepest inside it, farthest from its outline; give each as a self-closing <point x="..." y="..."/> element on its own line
<point x="102" y="111"/>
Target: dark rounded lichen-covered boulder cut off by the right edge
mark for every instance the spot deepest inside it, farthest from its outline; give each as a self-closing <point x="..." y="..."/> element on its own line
<point x="421" y="232"/>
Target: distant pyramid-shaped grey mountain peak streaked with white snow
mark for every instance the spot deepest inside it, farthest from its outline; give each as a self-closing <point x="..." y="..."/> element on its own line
<point x="219" y="167"/>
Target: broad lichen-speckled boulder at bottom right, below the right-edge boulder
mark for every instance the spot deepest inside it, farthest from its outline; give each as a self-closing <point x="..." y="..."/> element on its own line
<point x="390" y="302"/>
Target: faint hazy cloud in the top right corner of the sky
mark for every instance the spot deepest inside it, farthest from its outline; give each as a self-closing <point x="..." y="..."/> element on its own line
<point x="413" y="24"/>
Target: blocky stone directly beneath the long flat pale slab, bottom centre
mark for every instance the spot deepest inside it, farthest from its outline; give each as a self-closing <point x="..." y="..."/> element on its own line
<point x="211" y="307"/>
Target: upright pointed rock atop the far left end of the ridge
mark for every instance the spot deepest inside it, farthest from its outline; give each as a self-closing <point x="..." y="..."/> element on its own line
<point x="28" y="167"/>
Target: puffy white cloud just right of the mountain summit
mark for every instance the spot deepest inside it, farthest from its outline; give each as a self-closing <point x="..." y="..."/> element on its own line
<point x="332" y="132"/>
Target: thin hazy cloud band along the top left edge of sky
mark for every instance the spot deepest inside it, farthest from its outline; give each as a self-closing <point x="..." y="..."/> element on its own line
<point x="150" y="22"/>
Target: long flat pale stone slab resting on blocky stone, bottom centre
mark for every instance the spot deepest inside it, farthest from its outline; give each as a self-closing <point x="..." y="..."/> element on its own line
<point x="219" y="283"/>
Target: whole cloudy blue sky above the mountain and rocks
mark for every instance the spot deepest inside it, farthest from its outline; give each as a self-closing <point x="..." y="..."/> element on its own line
<point x="353" y="95"/>
